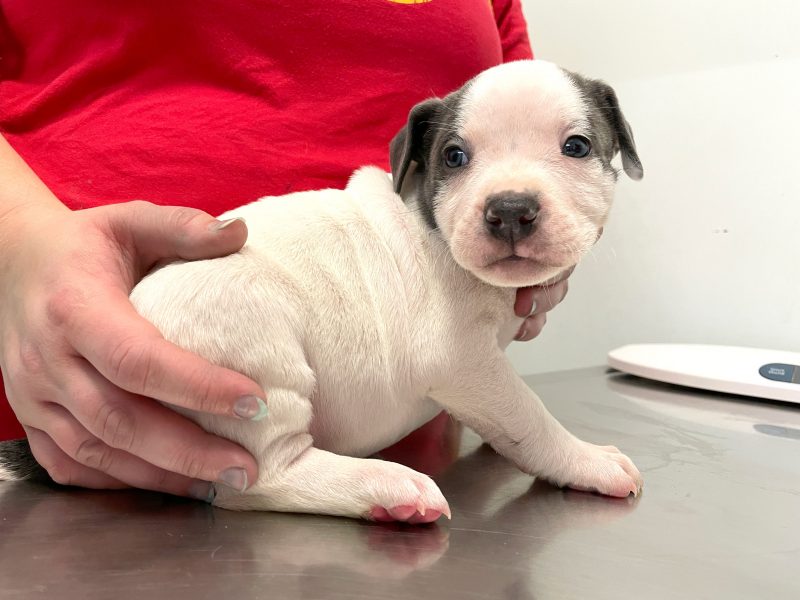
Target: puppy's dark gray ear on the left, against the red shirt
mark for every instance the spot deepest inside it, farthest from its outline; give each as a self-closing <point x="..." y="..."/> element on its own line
<point x="411" y="143"/>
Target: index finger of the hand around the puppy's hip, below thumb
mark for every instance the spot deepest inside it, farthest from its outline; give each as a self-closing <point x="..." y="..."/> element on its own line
<point x="130" y="352"/>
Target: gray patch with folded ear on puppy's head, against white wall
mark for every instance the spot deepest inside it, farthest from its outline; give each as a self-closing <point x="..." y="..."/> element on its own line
<point x="610" y="129"/>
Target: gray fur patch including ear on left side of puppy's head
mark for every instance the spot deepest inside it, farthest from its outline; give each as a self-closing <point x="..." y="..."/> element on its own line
<point x="416" y="151"/>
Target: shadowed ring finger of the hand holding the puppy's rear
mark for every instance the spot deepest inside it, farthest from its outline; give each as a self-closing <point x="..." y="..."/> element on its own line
<point x="84" y="448"/>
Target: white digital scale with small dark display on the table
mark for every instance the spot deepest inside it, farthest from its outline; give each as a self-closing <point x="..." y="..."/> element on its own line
<point x="770" y="374"/>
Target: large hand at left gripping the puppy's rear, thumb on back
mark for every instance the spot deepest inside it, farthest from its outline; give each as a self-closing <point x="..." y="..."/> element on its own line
<point x="81" y="367"/>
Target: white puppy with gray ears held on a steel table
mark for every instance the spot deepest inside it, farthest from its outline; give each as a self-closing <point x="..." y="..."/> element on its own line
<point x="366" y="311"/>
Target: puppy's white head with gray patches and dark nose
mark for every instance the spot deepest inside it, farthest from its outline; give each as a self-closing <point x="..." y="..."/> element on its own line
<point x="514" y="169"/>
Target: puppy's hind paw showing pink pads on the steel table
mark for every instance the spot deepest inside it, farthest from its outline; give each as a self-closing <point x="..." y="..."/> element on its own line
<point x="402" y="494"/>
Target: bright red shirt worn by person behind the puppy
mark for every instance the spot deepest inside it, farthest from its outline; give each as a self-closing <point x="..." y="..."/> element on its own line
<point x="213" y="104"/>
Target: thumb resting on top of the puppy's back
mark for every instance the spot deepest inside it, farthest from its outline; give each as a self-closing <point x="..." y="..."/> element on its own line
<point x="168" y="232"/>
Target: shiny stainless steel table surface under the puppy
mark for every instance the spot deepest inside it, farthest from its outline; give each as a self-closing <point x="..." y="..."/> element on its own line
<point x="719" y="518"/>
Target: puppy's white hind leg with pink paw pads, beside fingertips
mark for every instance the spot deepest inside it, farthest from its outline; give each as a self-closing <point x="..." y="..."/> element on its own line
<point x="294" y="476"/>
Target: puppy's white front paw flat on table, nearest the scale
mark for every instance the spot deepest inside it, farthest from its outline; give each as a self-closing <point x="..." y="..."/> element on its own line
<point x="602" y="469"/>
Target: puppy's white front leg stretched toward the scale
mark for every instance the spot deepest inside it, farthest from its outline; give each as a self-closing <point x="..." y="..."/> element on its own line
<point x="492" y="399"/>
